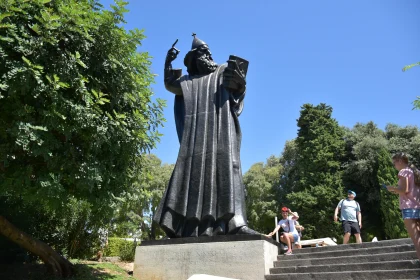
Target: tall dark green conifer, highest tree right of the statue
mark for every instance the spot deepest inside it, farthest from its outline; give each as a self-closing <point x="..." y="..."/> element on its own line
<point x="320" y="148"/>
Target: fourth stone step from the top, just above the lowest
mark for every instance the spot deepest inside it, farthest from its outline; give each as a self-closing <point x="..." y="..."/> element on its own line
<point x="391" y="265"/>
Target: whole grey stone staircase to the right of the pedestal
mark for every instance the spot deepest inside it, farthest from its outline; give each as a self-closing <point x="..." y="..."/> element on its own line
<point x="390" y="259"/>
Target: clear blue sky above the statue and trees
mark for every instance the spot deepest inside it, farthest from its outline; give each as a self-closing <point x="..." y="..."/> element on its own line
<point x="347" y="54"/>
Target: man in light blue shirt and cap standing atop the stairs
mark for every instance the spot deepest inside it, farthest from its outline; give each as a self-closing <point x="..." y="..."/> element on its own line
<point x="351" y="217"/>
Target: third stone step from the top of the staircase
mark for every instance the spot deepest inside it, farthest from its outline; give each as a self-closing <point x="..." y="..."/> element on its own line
<point x="284" y="262"/>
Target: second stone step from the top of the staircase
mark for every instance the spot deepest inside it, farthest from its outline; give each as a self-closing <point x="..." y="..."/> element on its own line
<point x="347" y="252"/>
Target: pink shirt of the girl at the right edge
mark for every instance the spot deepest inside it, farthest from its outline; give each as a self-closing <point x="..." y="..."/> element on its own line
<point x="410" y="200"/>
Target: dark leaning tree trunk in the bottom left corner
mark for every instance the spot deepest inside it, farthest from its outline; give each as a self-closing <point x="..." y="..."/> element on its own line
<point x="56" y="264"/>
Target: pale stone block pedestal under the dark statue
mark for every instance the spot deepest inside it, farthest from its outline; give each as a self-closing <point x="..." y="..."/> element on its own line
<point x="245" y="257"/>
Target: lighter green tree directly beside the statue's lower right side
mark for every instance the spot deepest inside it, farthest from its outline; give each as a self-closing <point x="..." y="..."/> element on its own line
<point x="261" y="181"/>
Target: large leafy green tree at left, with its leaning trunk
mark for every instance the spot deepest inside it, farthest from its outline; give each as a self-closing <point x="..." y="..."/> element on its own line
<point x="76" y="112"/>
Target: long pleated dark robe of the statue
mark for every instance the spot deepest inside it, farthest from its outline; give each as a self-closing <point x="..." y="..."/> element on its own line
<point x="205" y="195"/>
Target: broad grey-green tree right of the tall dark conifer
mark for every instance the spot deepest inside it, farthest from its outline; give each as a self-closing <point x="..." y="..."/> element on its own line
<point x="368" y="165"/>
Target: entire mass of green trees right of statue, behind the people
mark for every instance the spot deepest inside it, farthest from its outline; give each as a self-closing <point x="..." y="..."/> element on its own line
<point x="323" y="161"/>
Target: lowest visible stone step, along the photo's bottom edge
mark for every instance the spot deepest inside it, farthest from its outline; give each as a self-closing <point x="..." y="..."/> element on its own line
<point x="345" y="275"/>
